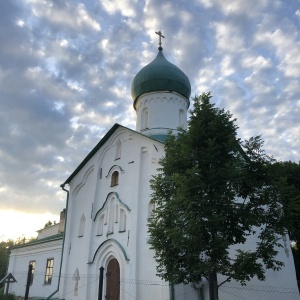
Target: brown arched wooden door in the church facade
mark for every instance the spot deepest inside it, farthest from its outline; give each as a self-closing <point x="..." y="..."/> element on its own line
<point x="113" y="280"/>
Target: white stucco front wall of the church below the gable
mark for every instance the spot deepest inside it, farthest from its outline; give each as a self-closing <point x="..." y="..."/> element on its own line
<point x="91" y="192"/>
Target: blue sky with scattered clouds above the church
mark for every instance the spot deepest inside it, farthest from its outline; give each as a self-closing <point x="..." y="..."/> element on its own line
<point x="66" y="69"/>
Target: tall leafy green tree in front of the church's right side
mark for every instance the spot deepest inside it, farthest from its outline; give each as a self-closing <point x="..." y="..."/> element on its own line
<point x="212" y="193"/>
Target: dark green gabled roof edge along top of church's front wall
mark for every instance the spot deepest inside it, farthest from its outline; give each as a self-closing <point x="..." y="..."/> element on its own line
<point x="98" y="146"/>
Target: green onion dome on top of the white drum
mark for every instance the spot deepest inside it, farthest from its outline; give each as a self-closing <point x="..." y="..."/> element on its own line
<point x="160" y="75"/>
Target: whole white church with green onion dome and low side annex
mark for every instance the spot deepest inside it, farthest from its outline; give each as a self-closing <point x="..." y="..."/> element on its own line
<point x="107" y="211"/>
